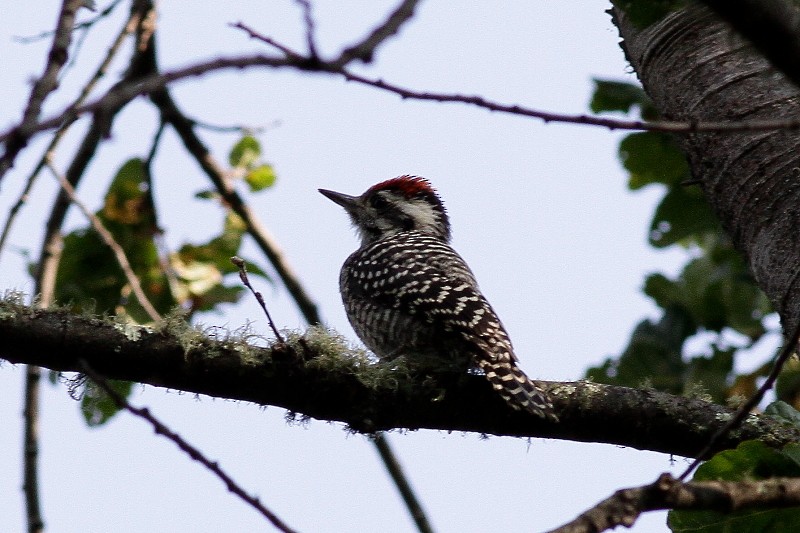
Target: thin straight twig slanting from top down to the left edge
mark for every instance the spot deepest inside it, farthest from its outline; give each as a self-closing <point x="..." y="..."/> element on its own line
<point x="101" y="71"/>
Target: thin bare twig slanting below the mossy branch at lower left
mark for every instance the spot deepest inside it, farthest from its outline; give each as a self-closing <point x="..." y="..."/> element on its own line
<point x="193" y="452"/>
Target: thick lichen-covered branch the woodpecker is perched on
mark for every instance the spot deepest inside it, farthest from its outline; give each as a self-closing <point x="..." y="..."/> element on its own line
<point x="316" y="376"/>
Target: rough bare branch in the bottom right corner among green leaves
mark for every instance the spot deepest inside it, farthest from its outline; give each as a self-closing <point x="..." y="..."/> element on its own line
<point x="625" y="506"/>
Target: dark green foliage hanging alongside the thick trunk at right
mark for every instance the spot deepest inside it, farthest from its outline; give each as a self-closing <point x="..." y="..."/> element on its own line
<point x="713" y="294"/>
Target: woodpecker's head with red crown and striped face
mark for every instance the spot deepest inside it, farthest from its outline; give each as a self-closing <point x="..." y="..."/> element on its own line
<point x="407" y="203"/>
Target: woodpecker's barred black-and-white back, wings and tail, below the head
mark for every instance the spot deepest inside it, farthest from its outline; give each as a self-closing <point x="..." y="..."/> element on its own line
<point x="419" y="280"/>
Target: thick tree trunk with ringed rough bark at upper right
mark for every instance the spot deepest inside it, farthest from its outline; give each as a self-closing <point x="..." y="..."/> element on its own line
<point x="695" y="67"/>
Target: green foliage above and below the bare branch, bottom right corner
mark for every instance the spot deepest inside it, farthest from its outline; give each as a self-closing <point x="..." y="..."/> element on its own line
<point x="751" y="460"/>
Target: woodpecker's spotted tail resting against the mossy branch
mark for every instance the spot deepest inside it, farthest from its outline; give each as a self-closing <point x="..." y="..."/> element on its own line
<point x="517" y="389"/>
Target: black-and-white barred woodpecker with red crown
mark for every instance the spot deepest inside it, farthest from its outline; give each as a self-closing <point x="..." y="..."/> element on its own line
<point x="407" y="292"/>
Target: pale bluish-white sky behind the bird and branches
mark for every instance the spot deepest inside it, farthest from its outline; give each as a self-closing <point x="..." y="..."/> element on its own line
<point x="541" y="213"/>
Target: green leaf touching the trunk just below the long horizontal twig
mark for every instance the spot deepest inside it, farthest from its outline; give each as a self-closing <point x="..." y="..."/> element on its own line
<point x="651" y="157"/>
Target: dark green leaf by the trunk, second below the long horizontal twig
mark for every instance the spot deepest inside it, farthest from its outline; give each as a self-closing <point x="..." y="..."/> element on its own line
<point x="682" y="213"/>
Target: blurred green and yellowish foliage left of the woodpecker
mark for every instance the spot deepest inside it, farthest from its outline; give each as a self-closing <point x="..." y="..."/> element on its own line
<point x="193" y="278"/>
